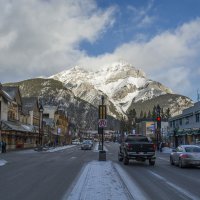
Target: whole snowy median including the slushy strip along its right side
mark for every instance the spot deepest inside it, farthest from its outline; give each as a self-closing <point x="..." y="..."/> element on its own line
<point x="104" y="180"/>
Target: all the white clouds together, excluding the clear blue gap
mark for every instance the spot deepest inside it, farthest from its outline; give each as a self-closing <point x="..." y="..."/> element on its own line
<point x="42" y="37"/>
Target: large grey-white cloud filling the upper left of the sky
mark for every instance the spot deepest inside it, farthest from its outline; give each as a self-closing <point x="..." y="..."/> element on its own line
<point x="42" y="36"/>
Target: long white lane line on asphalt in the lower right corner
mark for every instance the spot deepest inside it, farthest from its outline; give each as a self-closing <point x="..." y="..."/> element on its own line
<point x="182" y="191"/>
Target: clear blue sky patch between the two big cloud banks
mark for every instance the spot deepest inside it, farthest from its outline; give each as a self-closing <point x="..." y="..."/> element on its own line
<point x="160" y="15"/>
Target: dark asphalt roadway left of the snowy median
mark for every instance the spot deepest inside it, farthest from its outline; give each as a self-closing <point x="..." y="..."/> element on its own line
<point x="32" y="175"/>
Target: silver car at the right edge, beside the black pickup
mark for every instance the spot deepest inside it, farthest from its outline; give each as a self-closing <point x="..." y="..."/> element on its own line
<point x="185" y="155"/>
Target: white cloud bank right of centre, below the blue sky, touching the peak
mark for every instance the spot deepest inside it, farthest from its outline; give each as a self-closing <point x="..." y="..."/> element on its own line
<point x="163" y="54"/>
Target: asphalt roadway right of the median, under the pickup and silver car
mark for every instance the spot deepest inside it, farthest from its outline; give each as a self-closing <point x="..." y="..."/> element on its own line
<point x="162" y="181"/>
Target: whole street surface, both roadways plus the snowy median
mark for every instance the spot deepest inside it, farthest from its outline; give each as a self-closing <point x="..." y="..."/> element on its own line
<point x="71" y="173"/>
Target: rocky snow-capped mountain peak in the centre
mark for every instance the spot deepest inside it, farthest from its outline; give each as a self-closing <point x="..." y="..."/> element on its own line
<point x="120" y="82"/>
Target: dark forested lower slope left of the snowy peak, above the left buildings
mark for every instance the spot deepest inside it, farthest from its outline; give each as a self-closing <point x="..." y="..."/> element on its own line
<point x="82" y="113"/>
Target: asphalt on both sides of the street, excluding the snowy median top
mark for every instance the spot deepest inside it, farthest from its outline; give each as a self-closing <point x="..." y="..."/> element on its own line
<point x="30" y="175"/>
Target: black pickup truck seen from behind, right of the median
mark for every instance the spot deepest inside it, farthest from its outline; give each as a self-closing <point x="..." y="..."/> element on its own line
<point x="137" y="147"/>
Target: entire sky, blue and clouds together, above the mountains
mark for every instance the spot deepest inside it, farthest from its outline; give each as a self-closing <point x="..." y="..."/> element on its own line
<point x="160" y="37"/>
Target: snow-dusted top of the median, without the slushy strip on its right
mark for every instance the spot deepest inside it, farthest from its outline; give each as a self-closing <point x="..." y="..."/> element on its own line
<point x="99" y="180"/>
